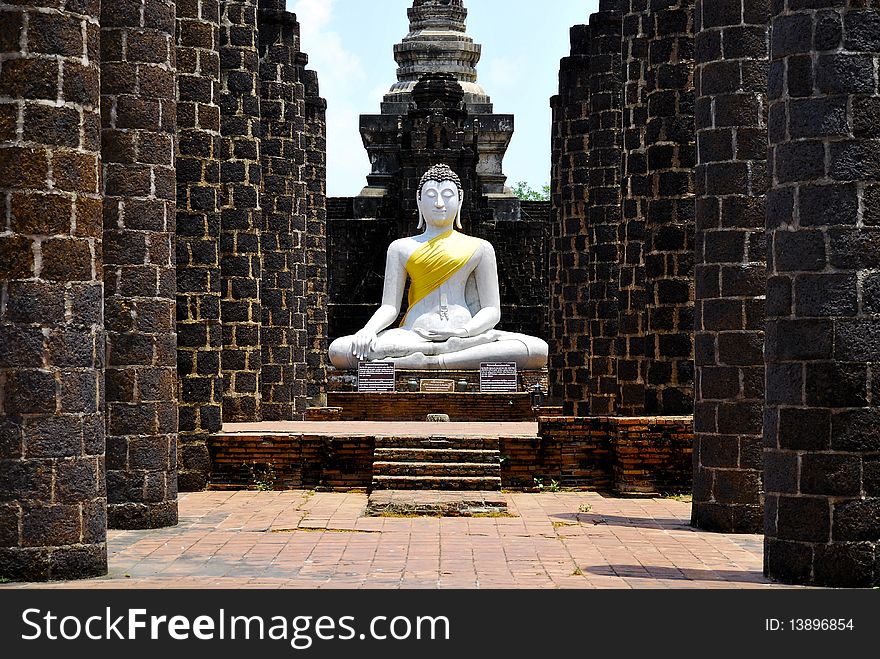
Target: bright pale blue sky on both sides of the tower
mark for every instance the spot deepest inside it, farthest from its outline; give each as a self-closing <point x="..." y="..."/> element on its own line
<point x="350" y="44"/>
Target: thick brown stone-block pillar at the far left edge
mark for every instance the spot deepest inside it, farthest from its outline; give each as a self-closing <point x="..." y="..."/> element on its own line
<point x="53" y="505"/>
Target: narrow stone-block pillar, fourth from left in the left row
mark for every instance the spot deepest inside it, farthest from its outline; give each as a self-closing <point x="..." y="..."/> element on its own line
<point x="241" y="212"/>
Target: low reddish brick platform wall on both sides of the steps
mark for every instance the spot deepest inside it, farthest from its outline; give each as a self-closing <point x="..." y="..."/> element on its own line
<point x="646" y="456"/>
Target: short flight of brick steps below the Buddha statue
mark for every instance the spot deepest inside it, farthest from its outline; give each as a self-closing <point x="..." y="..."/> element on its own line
<point x="436" y="463"/>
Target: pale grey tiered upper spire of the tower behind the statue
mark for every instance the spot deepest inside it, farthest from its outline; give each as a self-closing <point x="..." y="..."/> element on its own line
<point x="437" y="43"/>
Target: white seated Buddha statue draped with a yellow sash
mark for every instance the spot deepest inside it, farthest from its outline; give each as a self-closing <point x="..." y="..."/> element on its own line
<point x="454" y="298"/>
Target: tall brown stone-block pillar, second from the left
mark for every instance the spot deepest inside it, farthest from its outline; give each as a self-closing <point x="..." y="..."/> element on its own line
<point x="138" y="122"/>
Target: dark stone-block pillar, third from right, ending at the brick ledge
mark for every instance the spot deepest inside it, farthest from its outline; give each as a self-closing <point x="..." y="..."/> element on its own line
<point x="669" y="212"/>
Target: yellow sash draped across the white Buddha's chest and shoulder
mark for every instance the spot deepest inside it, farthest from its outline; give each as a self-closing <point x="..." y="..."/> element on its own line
<point x="436" y="261"/>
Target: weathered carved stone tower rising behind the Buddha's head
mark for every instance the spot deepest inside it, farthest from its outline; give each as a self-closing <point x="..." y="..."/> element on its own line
<point x="437" y="112"/>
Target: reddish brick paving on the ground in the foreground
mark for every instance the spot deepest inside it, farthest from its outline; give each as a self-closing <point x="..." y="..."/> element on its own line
<point x="303" y="539"/>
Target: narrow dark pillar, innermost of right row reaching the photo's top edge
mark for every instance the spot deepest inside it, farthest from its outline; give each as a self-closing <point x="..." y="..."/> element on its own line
<point x="603" y="210"/>
